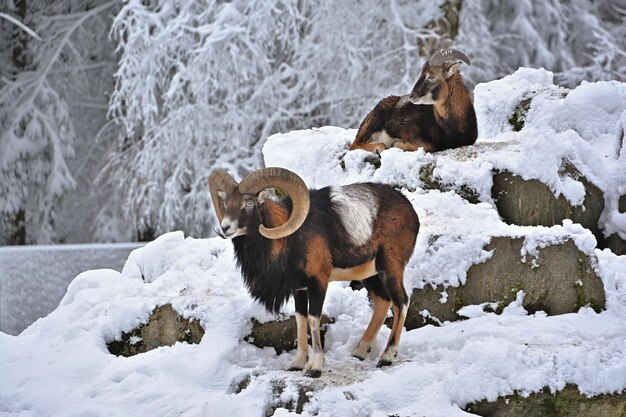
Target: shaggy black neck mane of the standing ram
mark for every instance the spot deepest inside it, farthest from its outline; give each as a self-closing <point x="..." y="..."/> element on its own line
<point x="263" y="262"/>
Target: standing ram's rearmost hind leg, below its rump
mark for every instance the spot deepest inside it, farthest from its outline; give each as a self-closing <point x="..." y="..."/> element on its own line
<point x="393" y="280"/>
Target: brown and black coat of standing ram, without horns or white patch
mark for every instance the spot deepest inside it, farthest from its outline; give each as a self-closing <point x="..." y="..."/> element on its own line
<point x="302" y="264"/>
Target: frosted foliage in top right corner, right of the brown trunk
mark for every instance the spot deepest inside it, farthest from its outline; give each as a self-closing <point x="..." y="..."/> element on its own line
<point x="576" y="39"/>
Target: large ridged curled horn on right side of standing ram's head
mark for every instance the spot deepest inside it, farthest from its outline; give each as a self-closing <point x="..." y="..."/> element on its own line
<point x="292" y="185"/>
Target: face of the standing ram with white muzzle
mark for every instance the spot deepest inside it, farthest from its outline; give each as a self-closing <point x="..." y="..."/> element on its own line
<point x="238" y="210"/>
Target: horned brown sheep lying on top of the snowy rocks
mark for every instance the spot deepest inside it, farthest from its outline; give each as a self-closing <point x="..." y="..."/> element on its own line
<point x="438" y="113"/>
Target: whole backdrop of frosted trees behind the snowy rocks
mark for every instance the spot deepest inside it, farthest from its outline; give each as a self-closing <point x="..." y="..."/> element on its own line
<point x="112" y="114"/>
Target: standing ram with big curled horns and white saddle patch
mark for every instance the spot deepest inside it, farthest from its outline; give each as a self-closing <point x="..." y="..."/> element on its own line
<point x="296" y="246"/>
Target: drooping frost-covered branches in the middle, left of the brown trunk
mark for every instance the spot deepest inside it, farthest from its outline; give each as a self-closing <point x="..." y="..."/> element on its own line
<point x="201" y="83"/>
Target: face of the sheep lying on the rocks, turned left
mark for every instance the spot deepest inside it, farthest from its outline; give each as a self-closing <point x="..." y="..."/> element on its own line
<point x="432" y="86"/>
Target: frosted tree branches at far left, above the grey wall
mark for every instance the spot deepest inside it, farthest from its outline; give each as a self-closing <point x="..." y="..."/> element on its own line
<point x="37" y="129"/>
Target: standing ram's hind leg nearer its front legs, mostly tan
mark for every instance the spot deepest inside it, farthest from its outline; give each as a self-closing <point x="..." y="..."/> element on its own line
<point x="381" y="301"/>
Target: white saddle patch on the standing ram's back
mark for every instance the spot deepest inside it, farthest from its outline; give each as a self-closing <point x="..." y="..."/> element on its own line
<point x="357" y="206"/>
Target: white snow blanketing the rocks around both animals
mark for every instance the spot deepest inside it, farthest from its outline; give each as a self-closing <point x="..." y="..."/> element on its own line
<point x="60" y="365"/>
